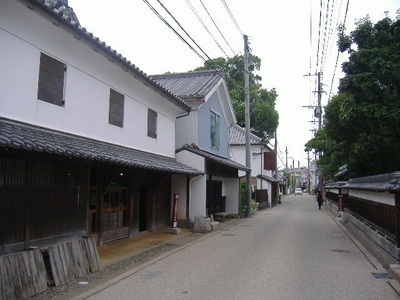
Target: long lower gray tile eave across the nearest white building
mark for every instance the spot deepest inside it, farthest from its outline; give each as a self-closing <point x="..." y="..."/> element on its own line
<point x="18" y="135"/>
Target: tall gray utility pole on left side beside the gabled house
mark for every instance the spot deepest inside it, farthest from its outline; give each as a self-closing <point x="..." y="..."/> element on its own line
<point x="247" y="123"/>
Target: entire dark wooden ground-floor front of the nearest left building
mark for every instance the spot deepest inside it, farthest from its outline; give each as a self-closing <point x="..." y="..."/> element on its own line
<point x="44" y="198"/>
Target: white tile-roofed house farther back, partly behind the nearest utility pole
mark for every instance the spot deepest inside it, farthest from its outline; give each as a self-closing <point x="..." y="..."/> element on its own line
<point x="264" y="184"/>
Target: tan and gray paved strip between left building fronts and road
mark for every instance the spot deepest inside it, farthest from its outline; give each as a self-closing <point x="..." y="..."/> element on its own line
<point x="121" y="257"/>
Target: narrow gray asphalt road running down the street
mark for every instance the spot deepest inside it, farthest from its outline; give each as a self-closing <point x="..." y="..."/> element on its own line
<point x="292" y="251"/>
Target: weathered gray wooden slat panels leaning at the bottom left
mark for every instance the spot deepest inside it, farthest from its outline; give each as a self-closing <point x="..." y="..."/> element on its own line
<point x="24" y="274"/>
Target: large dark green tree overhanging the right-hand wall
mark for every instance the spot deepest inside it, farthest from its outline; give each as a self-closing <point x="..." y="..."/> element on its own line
<point x="362" y="123"/>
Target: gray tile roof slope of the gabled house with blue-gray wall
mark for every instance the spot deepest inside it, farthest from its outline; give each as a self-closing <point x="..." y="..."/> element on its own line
<point x="191" y="84"/>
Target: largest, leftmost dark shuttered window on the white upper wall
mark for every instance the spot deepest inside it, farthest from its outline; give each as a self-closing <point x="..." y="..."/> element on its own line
<point x="51" y="80"/>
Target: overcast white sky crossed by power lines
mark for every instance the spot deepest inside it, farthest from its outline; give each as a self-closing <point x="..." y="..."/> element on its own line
<point x="279" y="32"/>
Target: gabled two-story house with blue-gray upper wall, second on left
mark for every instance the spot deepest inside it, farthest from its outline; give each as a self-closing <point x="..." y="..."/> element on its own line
<point x="202" y="140"/>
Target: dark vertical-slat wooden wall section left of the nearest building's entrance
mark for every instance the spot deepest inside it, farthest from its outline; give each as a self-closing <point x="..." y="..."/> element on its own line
<point x="40" y="199"/>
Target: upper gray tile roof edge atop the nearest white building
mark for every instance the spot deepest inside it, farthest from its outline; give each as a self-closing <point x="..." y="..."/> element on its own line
<point x="60" y="10"/>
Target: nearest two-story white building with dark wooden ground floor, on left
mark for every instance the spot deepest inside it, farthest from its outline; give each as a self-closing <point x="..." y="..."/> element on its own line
<point x="87" y="140"/>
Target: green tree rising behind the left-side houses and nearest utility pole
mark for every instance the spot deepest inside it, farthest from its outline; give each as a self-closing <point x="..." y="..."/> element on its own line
<point x="264" y="118"/>
